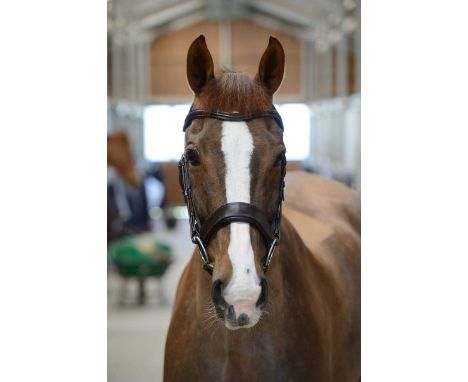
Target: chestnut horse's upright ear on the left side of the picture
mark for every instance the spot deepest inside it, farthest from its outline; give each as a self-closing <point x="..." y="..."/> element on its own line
<point x="200" y="68"/>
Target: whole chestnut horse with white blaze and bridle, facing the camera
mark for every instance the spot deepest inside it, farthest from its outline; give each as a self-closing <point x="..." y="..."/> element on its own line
<point x="272" y="293"/>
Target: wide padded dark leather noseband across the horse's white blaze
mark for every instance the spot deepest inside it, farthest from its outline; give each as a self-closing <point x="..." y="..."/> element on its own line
<point x="236" y="212"/>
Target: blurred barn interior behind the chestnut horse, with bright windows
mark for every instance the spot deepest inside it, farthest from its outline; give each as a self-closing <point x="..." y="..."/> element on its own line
<point x="148" y="98"/>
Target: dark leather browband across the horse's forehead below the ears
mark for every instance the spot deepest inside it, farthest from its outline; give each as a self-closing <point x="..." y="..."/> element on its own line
<point x="231" y="116"/>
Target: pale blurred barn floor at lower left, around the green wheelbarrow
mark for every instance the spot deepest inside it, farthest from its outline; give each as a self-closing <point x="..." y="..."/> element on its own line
<point x="136" y="334"/>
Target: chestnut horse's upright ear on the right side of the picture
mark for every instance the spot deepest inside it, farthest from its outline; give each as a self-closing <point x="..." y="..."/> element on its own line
<point x="271" y="68"/>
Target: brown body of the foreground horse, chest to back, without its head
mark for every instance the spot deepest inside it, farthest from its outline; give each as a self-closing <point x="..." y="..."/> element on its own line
<point x="311" y="327"/>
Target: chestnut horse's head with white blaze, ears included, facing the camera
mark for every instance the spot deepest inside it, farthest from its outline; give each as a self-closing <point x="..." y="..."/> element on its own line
<point x="235" y="156"/>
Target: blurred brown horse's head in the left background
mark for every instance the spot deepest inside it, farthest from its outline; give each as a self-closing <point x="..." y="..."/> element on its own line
<point x="119" y="156"/>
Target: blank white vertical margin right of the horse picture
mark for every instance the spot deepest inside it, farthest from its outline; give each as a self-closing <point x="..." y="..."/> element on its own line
<point x="414" y="191"/>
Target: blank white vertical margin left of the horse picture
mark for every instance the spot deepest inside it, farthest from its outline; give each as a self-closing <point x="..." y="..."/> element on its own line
<point x="53" y="191"/>
